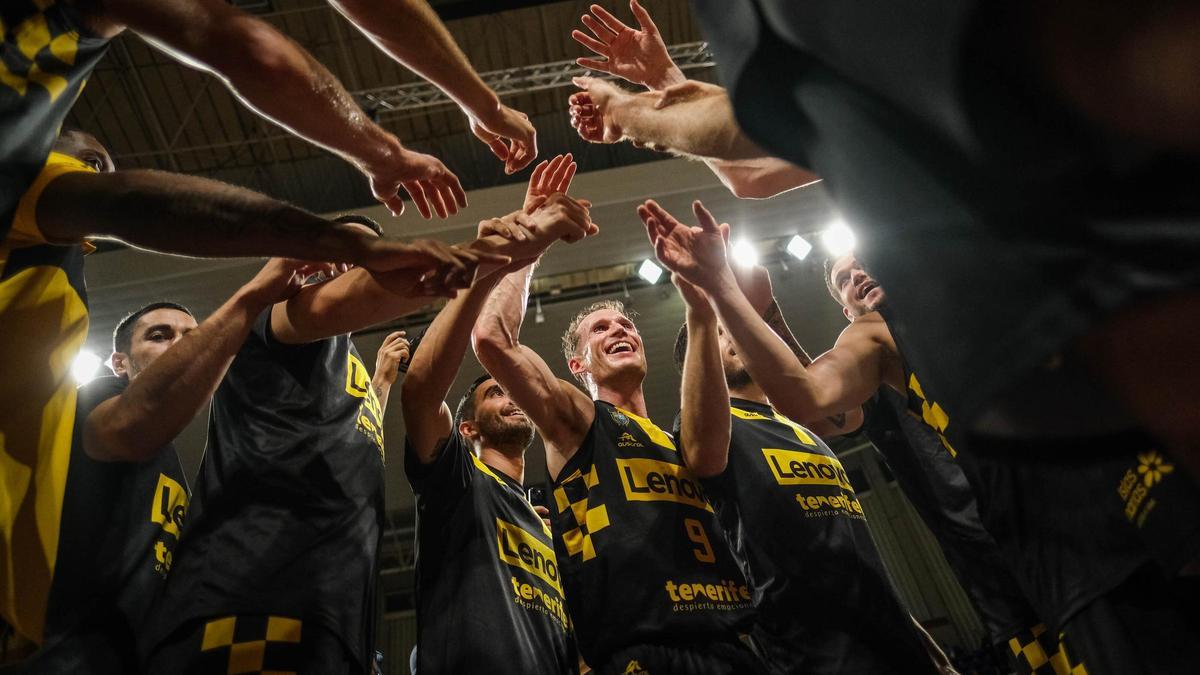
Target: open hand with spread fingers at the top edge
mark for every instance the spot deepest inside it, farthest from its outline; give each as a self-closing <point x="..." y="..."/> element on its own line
<point x="638" y="56"/>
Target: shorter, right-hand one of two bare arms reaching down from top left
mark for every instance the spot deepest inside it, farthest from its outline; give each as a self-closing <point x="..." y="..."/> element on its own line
<point x="412" y="33"/>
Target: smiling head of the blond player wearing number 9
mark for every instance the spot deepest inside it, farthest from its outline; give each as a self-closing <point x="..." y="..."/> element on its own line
<point x="609" y="349"/>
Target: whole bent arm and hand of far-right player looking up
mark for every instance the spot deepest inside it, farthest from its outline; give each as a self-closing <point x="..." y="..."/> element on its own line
<point x="838" y="381"/>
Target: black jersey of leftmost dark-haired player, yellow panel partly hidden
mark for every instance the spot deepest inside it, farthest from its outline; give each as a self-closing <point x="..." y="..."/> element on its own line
<point x="121" y="524"/>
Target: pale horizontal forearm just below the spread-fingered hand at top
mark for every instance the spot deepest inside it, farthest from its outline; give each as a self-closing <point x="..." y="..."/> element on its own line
<point x="699" y="128"/>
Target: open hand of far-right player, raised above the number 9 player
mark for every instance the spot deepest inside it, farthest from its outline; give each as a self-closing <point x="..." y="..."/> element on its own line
<point x="697" y="254"/>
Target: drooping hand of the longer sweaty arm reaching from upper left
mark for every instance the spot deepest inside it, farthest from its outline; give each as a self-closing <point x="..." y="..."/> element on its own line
<point x="430" y="184"/>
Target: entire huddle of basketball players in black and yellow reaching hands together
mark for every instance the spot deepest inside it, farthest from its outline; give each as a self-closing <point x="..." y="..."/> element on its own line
<point x="1022" y="374"/>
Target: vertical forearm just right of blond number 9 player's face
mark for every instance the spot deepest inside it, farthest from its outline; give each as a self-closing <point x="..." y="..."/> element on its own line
<point x="705" y="401"/>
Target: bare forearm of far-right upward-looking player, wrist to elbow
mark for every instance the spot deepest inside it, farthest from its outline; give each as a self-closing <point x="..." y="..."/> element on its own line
<point x="773" y="366"/>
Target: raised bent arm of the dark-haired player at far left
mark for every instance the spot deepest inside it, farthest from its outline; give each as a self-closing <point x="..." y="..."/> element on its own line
<point x="159" y="404"/>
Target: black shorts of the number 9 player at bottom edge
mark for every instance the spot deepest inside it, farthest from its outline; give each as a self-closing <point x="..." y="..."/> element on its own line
<point x="700" y="659"/>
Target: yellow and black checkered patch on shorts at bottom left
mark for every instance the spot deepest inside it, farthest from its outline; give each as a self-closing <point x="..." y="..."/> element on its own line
<point x="262" y="646"/>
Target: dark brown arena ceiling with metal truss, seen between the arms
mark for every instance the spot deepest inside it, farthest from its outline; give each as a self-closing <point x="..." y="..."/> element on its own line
<point x="153" y="112"/>
